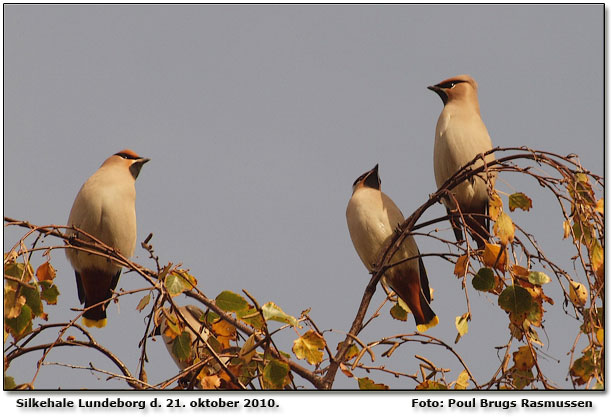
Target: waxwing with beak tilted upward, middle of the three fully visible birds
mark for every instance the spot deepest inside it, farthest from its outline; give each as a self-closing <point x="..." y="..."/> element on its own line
<point x="372" y="218"/>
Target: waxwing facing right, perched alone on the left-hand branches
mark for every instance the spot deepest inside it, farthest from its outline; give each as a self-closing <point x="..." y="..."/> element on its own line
<point x="104" y="208"/>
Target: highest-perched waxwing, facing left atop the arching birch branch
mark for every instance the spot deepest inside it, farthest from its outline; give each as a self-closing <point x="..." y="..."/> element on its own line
<point x="460" y="136"/>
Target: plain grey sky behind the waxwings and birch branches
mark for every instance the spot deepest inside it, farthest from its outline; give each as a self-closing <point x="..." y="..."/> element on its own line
<point x="258" y="119"/>
